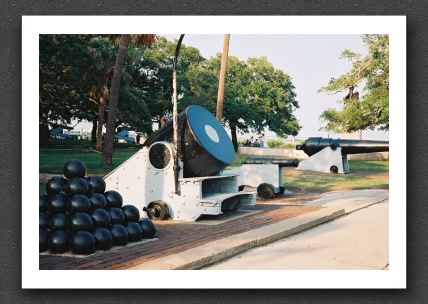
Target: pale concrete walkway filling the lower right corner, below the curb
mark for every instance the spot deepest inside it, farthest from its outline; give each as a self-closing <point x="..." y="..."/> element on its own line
<point x="355" y="241"/>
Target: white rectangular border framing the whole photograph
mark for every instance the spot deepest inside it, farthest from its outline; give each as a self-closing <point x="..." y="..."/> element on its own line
<point x="394" y="277"/>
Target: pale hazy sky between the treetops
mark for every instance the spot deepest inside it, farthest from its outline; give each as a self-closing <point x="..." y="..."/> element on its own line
<point x="310" y="60"/>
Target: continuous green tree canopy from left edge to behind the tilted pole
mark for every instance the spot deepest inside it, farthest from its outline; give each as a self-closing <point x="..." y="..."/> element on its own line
<point x="75" y="71"/>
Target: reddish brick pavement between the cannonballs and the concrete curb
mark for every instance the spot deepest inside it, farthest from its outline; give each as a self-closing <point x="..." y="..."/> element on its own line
<point x="176" y="237"/>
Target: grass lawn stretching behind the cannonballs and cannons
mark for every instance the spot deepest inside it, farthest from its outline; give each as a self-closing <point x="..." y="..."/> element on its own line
<point x="364" y="174"/>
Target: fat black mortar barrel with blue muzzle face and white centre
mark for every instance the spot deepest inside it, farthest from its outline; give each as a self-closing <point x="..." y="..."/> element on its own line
<point x="203" y="144"/>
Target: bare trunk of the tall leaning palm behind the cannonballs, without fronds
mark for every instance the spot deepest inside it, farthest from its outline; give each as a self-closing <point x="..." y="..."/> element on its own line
<point x="114" y="100"/>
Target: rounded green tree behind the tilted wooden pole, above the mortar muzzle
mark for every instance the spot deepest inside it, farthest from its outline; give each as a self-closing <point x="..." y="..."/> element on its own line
<point x="256" y="95"/>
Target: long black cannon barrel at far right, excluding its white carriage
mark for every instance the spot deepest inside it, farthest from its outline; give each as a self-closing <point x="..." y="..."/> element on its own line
<point x="349" y="146"/>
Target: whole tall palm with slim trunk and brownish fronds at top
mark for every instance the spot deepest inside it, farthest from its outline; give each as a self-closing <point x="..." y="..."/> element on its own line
<point x="146" y="40"/>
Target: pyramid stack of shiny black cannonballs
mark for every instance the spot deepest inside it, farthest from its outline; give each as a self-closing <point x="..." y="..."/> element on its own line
<point x="78" y="215"/>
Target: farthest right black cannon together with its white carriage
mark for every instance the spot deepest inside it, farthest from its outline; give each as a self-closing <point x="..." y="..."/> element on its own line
<point x="330" y="154"/>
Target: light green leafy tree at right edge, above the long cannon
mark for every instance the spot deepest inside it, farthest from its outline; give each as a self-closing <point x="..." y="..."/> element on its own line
<point x="369" y="110"/>
